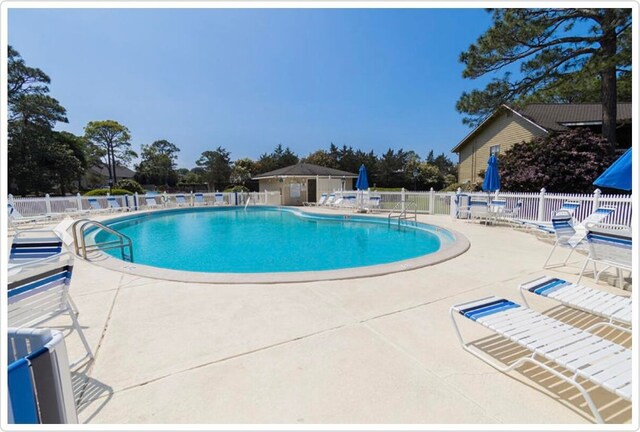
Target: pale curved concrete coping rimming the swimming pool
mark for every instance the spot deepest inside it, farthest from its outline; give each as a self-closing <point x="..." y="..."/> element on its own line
<point x="459" y="246"/>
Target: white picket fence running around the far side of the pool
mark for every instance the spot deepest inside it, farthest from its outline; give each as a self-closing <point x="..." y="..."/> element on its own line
<point x="536" y="206"/>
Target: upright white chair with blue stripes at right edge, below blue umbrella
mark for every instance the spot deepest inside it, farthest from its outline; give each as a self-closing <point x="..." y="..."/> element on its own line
<point x="611" y="246"/>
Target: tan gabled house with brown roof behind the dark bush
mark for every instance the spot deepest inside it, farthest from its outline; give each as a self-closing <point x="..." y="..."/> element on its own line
<point x="506" y="127"/>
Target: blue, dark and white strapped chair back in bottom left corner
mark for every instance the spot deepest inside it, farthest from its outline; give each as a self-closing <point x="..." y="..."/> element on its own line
<point x="39" y="384"/>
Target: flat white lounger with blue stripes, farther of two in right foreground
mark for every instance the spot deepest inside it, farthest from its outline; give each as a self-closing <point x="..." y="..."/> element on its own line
<point x="615" y="308"/>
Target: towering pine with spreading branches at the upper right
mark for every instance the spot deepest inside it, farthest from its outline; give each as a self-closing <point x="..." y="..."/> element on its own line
<point x="553" y="56"/>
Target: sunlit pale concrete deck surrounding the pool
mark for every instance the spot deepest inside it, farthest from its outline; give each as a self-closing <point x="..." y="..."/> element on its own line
<point x="359" y="351"/>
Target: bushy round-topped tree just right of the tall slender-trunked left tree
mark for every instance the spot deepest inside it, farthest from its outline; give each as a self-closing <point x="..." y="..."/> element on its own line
<point x="158" y="162"/>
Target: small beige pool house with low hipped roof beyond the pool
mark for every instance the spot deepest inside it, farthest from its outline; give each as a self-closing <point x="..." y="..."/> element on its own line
<point x="304" y="182"/>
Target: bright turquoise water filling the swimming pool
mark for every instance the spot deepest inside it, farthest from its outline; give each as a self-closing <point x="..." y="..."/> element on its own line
<point x="268" y="239"/>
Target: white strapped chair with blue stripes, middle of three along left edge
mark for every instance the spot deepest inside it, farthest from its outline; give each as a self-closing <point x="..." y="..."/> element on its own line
<point x="39" y="293"/>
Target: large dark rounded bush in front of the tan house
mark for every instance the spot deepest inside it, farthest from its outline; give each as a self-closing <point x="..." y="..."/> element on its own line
<point x="562" y="162"/>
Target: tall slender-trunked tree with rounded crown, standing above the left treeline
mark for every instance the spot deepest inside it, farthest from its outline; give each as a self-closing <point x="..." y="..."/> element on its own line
<point x="114" y="139"/>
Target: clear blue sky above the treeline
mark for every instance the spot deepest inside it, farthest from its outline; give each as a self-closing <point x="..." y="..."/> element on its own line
<point x="248" y="80"/>
